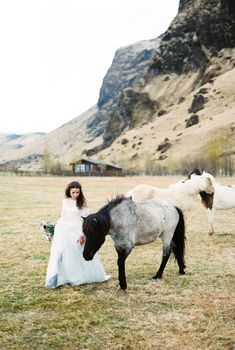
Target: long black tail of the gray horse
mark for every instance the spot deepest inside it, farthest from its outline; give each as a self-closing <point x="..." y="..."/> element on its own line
<point x="179" y="238"/>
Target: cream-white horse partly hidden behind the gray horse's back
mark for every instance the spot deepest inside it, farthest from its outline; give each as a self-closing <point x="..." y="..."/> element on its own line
<point x="181" y="194"/>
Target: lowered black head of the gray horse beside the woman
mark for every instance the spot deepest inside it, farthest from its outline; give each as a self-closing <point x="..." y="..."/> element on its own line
<point x="95" y="228"/>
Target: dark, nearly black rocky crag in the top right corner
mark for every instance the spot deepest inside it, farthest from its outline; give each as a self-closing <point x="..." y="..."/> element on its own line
<point x="200" y="30"/>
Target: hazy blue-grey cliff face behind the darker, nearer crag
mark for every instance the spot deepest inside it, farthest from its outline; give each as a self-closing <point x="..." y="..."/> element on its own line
<point x="129" y="65"/>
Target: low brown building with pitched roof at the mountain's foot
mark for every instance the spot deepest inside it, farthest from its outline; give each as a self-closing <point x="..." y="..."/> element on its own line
<point x="88" y="167"/>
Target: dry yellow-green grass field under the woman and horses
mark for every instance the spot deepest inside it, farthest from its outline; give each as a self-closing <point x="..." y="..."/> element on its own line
<point x="195" y="311"/>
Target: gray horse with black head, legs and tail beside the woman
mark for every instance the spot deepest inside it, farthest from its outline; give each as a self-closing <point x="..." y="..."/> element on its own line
<point x="130" y="224"/>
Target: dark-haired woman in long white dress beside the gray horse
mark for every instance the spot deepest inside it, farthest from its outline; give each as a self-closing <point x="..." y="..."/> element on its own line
<point x="66" y="264"/>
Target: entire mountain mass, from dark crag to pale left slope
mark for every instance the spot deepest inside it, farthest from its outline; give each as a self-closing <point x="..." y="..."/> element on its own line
<point x="163" y="102"/>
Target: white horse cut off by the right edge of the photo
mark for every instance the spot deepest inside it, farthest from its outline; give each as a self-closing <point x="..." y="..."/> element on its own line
<point x="223" y="198"/>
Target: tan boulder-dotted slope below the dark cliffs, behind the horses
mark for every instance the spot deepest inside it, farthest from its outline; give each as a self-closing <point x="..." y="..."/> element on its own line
<point x="201" y="125"/>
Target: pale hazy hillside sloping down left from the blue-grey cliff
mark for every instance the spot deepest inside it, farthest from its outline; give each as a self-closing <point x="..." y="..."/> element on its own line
<point x="63" y="144"/>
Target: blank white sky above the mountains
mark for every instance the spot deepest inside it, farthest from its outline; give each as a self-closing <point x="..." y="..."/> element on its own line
<point x="55" y="54"/>
